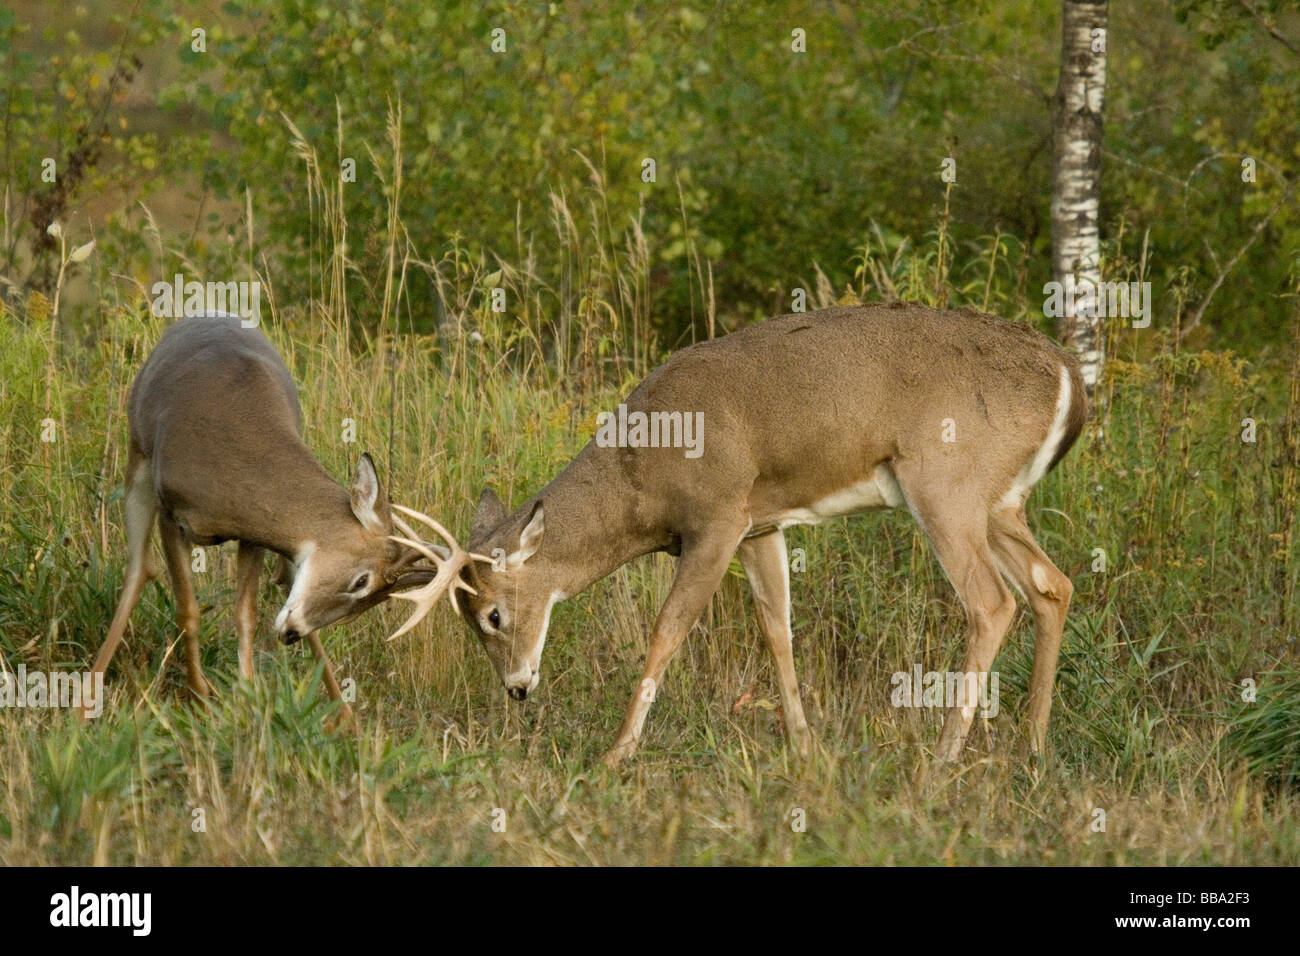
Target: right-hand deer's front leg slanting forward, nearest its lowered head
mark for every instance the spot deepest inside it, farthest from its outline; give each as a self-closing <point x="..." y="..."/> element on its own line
<point x="700" y="570"/>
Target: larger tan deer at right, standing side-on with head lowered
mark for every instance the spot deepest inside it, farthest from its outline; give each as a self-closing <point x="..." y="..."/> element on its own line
<point x="800" y="419"/>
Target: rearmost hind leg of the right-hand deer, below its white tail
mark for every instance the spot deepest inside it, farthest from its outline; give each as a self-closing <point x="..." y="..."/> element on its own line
<point x="1048" y="592"/>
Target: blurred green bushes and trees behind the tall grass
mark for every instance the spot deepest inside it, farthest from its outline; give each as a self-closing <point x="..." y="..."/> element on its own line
<point x="774" y="170"/>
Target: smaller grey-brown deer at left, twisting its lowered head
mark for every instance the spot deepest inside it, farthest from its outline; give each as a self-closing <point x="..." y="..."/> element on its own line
<point x="216" y="455"/>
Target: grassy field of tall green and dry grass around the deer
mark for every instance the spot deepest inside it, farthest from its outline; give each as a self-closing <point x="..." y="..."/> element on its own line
<point x="1151" y="729"/>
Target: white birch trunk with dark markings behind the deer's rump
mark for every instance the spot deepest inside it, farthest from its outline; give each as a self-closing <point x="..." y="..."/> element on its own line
<point x="1077" y="174"/>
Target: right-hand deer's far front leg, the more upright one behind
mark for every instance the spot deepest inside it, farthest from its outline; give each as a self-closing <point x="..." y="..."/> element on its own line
<point x="768" y="568"/>
